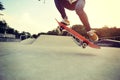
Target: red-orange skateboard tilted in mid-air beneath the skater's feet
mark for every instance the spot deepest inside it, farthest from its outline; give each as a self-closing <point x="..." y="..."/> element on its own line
<point x="82" y="40"/>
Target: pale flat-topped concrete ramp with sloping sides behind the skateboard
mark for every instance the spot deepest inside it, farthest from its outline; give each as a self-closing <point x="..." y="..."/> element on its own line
<point x="50" y="40"/>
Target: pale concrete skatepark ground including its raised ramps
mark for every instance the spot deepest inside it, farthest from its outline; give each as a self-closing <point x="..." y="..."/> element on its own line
<point x="57" y="58"/>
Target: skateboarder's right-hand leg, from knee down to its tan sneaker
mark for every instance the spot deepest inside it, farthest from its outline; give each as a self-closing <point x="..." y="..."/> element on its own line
<point x="84" y="19"/>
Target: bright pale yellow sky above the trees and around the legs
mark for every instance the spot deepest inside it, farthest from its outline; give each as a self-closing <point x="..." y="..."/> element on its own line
<point x="36" y="16"/>
